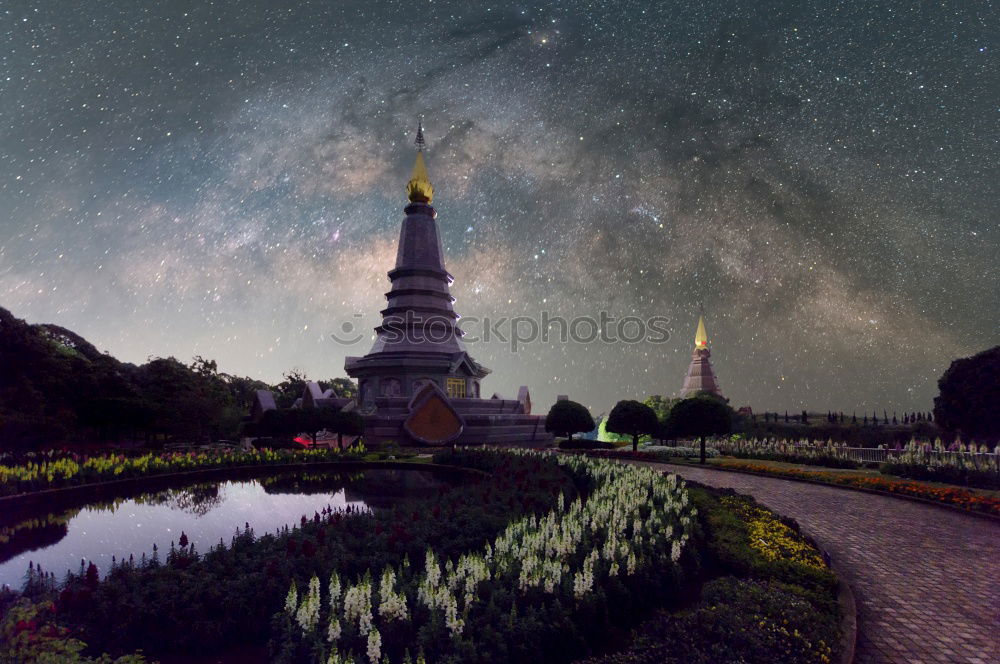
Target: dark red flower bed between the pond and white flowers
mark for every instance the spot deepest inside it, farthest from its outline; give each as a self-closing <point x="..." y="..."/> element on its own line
<point x="183" y="602"/>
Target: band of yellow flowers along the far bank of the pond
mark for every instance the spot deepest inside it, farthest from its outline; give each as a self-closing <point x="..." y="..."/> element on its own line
<point x="73" y="471"/>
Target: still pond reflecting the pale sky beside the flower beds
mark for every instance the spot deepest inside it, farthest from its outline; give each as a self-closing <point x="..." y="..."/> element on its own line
<point x="204" y="512"/>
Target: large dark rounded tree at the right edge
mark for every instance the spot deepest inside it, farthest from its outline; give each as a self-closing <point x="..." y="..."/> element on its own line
<point x="969" y="396"/>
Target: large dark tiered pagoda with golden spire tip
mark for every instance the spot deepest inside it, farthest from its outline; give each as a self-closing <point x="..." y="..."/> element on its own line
<point x="418" y="384"/>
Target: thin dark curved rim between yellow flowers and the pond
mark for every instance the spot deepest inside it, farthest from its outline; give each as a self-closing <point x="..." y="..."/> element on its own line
<point x="32" y="499"/>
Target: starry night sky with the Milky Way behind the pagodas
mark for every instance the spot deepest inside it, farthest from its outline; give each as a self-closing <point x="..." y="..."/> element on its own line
<point x="227" y="179"/>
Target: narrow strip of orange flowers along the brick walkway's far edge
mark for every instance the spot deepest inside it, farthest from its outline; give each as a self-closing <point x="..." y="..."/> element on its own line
<point x="956" y="497"/>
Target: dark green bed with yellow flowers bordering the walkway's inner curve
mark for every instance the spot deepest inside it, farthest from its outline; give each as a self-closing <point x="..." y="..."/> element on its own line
<point x="773" y="601"/>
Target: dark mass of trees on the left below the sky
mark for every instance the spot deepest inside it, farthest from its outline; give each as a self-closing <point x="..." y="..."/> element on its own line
<point x="55" y="387"/>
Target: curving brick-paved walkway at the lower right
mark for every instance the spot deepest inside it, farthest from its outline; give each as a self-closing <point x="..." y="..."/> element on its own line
<point x="926" y="579"/>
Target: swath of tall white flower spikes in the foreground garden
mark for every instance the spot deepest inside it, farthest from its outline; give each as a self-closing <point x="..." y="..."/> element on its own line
<point x="629" y="519"/>
